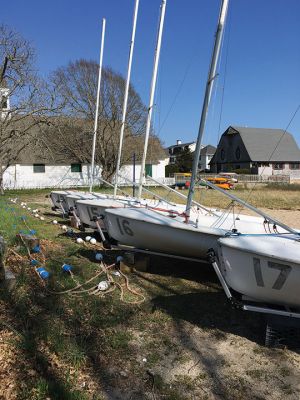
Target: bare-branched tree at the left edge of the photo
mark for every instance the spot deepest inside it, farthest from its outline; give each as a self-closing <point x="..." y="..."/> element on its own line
<point x="24" y="102"/>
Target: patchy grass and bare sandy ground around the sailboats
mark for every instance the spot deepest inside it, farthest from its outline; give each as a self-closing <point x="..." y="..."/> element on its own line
<point x="183" y="342"/>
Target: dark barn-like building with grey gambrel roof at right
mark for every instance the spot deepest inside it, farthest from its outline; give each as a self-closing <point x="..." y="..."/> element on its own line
<point x="257" y="150"/>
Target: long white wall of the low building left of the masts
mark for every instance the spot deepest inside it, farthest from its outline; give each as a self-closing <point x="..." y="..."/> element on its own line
<point x="60" y="176"/>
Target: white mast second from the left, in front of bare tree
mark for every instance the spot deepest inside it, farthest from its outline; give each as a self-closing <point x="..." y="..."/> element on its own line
<point x="126" y="96"/>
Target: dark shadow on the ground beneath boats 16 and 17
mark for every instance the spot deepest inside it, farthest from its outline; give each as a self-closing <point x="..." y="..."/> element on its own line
<point x="207" y="305"/>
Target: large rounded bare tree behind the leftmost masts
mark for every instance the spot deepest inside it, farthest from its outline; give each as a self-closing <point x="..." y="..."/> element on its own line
<point x="76" y="88"/>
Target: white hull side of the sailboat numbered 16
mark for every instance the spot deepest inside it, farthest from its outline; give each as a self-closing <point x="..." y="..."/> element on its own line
<point x="159" y="233"/>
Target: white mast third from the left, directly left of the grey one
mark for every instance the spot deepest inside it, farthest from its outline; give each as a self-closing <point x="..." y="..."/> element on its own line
<point x="152" y="92"/>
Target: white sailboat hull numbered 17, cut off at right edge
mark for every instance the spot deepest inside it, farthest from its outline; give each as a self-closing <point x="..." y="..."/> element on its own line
<point x="264" y="268"/>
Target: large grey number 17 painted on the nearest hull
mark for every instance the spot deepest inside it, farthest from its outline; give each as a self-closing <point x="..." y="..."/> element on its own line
<point x="283" y="272"/>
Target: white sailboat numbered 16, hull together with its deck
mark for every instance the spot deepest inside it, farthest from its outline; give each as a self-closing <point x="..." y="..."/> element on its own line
<point x="156" y="232"/>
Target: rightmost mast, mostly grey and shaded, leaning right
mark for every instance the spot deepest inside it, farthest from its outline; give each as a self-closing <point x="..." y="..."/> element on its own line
<point x="208" y="90"/>
